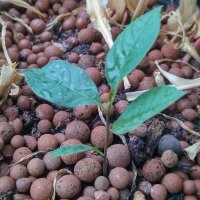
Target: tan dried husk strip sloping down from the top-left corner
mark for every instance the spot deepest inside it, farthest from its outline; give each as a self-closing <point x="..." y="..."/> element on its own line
<point x="24" y="4"/>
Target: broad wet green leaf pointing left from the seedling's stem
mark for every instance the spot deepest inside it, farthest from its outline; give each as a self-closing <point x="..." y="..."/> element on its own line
<point x="63" y="84"/>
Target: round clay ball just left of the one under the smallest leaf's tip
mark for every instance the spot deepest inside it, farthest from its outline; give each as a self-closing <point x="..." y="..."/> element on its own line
<point x="36" y="167"/>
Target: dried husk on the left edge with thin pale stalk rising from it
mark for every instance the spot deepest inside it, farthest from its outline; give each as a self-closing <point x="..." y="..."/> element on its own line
<point x="8" y="72"/>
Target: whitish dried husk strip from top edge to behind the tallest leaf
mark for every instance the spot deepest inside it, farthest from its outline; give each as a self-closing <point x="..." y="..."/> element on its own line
<point x="99" y="20"/>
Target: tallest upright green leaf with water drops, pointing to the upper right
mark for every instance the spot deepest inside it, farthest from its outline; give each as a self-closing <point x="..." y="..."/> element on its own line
<point x="131" y="46"/>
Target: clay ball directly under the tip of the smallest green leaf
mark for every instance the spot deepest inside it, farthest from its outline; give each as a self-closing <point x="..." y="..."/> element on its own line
<point x="51" y="163"/>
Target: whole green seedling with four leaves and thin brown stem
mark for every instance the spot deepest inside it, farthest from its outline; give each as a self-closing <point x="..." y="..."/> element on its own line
<point x="69" y="86"/>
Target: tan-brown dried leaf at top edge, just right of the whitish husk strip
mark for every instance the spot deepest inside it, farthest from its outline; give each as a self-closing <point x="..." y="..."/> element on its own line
<point x="118" y="6"/>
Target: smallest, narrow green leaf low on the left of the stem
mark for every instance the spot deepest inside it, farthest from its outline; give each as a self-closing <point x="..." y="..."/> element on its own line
<point x="70" y="149"/>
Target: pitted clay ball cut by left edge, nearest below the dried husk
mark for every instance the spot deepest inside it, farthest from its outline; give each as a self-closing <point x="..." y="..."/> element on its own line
<point x="6" y="131"/>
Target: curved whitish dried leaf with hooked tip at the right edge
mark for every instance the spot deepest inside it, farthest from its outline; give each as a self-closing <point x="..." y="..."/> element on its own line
<point x="177" y="81"/>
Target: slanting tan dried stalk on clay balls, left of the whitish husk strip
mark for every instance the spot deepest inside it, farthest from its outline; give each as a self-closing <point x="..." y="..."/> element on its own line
<point x="50" y="25"/>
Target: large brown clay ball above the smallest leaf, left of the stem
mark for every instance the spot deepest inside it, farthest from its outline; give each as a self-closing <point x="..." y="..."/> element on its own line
<point x="77" y="130"/>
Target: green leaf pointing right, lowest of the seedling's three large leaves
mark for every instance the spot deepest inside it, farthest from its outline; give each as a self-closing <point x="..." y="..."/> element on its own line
<point x="146" y="106"/>
